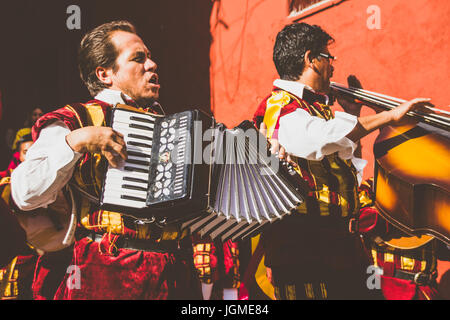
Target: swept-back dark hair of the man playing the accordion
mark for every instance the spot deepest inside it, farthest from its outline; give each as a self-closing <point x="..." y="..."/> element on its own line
<point x="97" y="50"/>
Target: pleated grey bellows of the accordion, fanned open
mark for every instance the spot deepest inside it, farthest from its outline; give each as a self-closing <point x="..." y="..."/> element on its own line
<point x="250" y="189"/>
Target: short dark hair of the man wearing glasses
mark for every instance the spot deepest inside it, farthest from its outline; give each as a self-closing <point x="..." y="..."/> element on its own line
<point x="291" y="45"/>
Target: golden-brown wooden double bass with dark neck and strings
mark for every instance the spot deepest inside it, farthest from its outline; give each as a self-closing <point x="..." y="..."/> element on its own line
<point x="412" y="171"/>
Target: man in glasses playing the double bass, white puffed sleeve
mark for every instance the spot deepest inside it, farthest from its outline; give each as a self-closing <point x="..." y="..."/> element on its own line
<point x="312" y="254"/>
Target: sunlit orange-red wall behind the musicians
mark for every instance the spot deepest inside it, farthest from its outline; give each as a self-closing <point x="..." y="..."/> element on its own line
<point x="408" y="57"/>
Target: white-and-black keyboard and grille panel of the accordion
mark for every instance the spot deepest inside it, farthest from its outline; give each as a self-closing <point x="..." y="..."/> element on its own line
<point x="158" y="151"/>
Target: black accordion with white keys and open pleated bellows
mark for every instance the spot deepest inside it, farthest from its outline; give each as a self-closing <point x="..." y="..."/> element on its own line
<point x="187" y="169"/>
